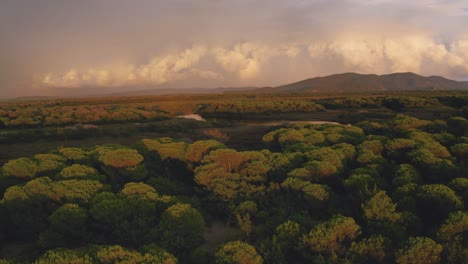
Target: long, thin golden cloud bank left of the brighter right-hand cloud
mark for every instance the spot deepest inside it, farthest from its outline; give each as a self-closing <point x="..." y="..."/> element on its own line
<point x="245" y="60"/>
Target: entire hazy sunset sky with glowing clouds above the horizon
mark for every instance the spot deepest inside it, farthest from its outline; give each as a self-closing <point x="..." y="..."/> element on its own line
<point x="66" y="47"/>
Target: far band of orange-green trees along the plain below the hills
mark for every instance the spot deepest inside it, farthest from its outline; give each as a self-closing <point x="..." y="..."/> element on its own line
<point x="64" y="112"/>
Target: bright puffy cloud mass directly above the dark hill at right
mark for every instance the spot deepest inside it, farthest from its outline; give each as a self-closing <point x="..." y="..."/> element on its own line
<point x="420" y="54"/>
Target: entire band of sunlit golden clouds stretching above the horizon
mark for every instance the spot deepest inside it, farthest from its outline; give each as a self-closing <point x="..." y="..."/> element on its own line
<point x="249" y="62"/>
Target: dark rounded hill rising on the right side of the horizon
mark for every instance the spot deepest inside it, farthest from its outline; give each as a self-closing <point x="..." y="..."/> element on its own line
<point x="354" y="82"/>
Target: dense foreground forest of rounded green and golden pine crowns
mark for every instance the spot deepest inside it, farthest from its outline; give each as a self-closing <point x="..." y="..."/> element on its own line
<point x="376" y="192"/>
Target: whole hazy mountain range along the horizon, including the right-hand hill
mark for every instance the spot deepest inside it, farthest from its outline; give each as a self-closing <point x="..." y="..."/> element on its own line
<point x="336" y="83"/>
